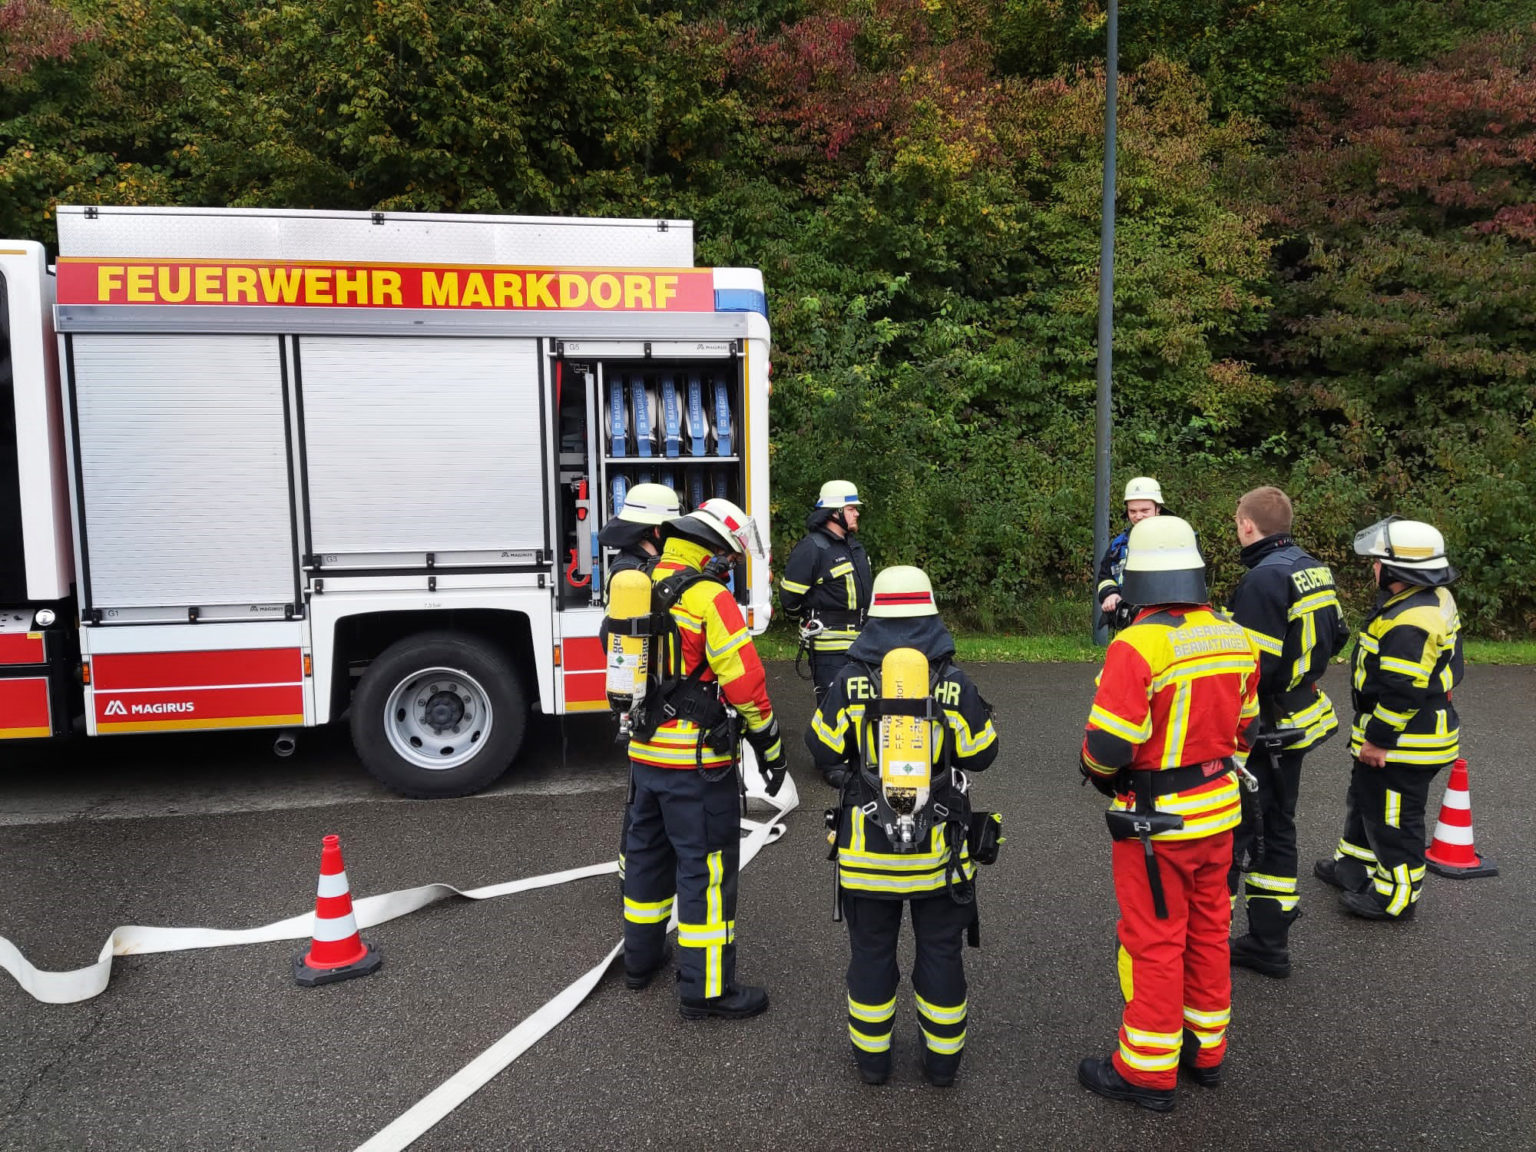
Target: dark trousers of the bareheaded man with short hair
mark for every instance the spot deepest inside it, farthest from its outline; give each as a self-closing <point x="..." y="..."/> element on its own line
<point x="1270" y="887"/>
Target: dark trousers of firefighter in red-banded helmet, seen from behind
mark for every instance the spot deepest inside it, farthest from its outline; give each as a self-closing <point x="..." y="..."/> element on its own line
<point x="939" y="988"/>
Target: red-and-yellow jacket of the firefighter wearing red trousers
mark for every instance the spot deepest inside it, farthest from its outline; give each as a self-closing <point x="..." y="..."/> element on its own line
<point x="1179" y="687"/>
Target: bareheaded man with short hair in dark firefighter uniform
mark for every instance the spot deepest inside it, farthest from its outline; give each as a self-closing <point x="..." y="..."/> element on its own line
<point x="1288" y="603"/>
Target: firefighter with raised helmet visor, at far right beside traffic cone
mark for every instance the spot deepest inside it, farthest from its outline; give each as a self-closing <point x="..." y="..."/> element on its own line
<point x="1408" y="661"/>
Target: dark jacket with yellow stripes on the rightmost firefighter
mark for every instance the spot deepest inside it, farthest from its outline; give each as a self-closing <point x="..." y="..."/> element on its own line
<point x="1408" y="660"/>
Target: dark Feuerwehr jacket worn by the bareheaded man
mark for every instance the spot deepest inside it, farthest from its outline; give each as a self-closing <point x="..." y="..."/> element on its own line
<point x="1288" y="603"/>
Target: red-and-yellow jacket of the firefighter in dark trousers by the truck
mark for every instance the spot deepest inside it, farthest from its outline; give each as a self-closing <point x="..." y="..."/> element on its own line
<point x="712" y="640"/>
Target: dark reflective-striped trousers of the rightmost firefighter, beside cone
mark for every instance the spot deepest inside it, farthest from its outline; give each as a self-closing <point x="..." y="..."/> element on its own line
<point x="1385" y="832"/>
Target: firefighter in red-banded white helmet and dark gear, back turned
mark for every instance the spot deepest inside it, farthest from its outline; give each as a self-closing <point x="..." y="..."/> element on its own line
<point x="873" y="878"/>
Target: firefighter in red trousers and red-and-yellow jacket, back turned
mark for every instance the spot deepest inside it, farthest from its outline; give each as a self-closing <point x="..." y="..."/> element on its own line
<point x="1176" y="703"/>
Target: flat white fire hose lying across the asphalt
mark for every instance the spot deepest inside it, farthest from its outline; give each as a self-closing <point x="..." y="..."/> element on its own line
<point x="82" y="984"/>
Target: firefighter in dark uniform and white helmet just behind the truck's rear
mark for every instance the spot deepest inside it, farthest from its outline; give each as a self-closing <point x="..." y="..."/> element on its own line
<point x="827" y="581"/>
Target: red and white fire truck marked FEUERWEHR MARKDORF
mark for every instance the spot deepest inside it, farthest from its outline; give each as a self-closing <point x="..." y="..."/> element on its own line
<point x="270" y="469"/>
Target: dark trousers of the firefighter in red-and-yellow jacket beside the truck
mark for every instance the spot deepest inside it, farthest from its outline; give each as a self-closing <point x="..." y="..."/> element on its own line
<point x="683" y="850"/>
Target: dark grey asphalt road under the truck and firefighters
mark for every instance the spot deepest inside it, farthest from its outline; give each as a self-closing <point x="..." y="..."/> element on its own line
<point x="1388" y="1036"/>
